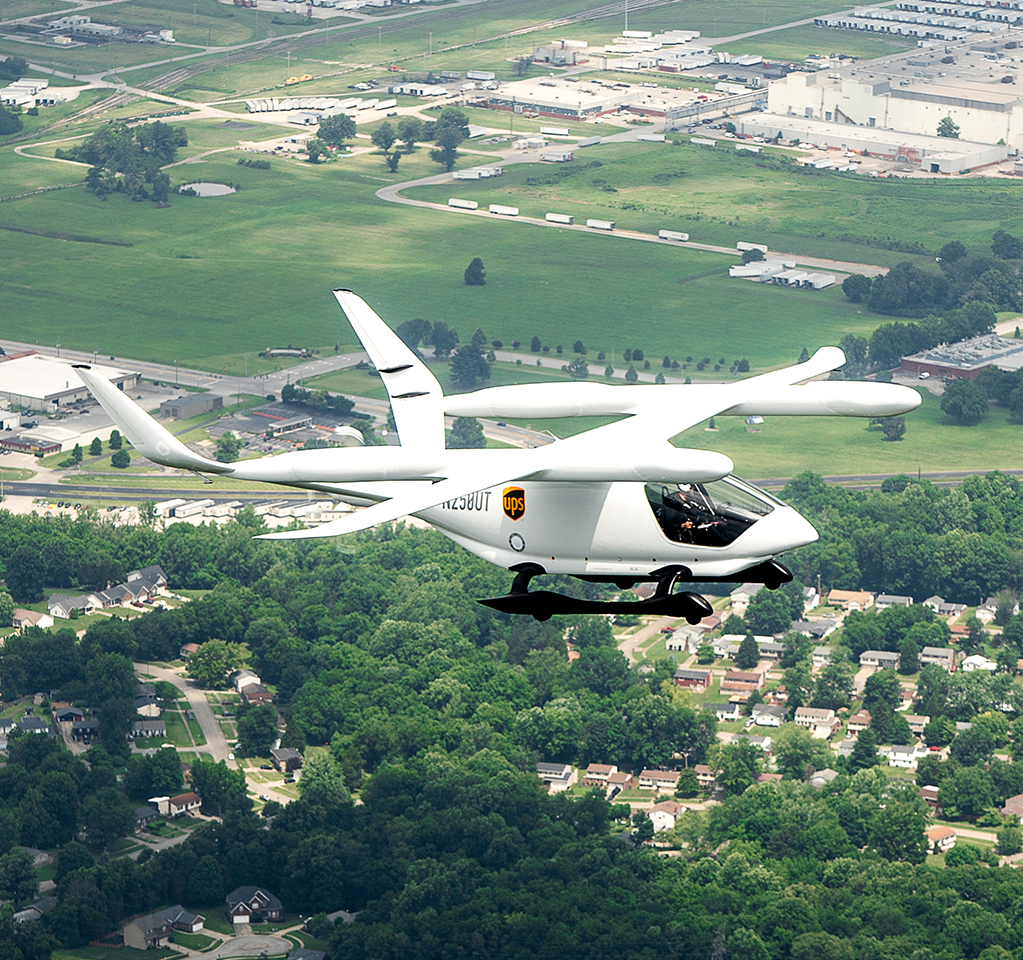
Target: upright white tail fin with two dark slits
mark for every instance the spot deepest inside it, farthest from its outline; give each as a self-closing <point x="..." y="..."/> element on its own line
<point x="417" y="399"/>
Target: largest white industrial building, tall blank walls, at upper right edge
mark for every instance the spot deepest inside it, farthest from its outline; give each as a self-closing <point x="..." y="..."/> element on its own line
<point x="973" y="83"/>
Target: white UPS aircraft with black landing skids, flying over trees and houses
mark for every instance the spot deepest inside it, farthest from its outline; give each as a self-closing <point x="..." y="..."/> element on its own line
<point x="618" y="504"/>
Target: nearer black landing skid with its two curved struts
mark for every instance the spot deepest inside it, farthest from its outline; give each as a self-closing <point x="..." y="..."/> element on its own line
<point x="543" y="605"/>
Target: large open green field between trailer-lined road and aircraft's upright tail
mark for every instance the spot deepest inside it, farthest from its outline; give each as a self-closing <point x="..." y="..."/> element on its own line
<point x="205" y="276"/>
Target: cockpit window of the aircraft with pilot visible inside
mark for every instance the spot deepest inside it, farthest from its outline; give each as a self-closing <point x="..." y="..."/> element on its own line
<point x="707" y="514"/>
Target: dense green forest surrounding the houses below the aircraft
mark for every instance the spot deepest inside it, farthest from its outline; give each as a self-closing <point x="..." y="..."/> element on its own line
<point x="435" y="711"/>
